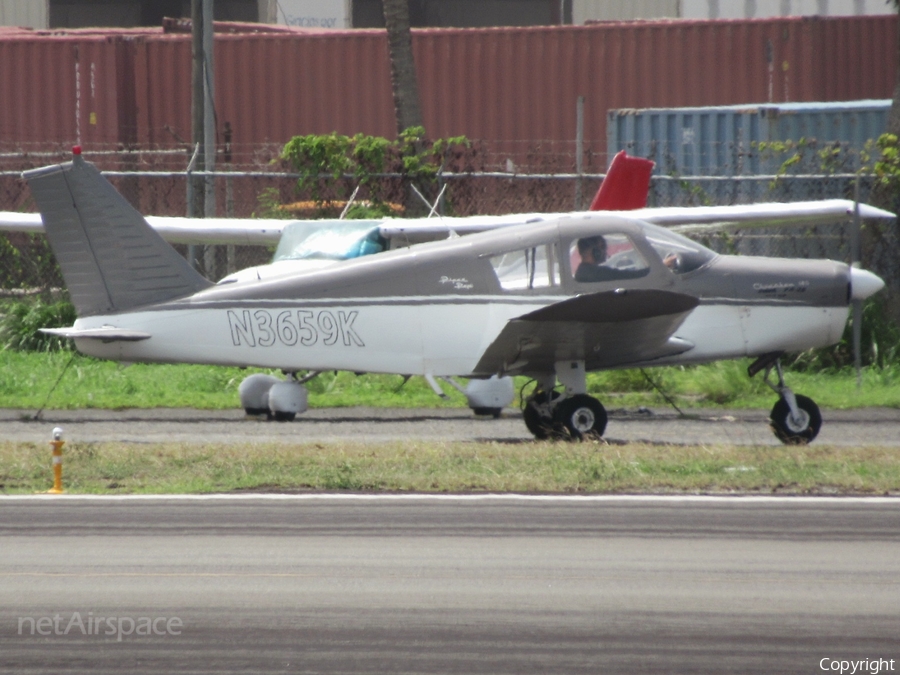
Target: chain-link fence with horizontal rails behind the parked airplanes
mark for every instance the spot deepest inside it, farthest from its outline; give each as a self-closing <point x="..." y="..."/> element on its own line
<point x="157" y="184"/>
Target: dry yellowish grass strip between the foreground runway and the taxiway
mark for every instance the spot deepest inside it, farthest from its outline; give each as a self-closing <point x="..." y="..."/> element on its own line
<point x="419" y="466"/>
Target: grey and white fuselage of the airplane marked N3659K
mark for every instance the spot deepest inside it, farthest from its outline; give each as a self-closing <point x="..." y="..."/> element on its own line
<point x="438" y="308"/>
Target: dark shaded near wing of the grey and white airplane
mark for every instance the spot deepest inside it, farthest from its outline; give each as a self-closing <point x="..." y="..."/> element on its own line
<point x="606" y="330"/>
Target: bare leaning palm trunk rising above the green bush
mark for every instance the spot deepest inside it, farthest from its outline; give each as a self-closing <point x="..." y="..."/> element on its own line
<point x="403" y="69"/>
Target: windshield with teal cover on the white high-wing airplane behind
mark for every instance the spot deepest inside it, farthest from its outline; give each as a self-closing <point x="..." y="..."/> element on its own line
<point x="329" y="240"/>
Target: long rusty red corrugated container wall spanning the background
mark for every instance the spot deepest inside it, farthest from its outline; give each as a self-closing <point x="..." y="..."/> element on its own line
<point x="513" y="88"/>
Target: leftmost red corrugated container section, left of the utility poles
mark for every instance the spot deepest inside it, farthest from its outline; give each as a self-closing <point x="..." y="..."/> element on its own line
<point x="61" y="90"/>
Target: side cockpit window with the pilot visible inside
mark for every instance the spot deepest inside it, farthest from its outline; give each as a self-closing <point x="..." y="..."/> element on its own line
<point x="608" y="257"/>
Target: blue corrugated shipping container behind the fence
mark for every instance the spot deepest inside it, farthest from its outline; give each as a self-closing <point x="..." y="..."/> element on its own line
<point x="724" y="140"/>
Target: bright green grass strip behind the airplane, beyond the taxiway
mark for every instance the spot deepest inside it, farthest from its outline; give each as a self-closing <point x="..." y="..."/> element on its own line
<point x="88" y="383"/>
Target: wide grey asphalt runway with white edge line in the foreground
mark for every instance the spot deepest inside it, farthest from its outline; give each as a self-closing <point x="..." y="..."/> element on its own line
<point x="490" y="584"/>
